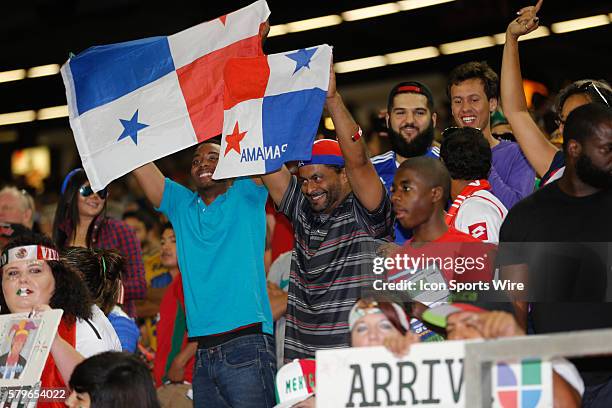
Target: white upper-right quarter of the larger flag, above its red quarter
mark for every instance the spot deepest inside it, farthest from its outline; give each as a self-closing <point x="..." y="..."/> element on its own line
<point x="187" y="46"/>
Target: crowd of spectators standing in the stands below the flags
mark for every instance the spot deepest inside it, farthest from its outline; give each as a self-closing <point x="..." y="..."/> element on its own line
<point x="199" y="296"/>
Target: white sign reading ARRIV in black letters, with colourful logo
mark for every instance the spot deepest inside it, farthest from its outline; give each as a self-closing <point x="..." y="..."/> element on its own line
<point x="430" y="375"/>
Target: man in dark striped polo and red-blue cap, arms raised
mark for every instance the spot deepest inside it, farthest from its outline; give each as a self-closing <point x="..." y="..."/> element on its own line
<point x="340" y="211"/>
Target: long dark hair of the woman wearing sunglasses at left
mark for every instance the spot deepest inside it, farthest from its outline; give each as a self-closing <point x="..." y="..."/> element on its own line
<point x="68" y="209"/>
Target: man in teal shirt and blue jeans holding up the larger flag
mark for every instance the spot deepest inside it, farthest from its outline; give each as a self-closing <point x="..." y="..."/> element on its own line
<point x="220" y="233"/>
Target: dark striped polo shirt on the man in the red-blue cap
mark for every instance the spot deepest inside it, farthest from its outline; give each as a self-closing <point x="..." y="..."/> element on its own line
<point x="331" y="263"/>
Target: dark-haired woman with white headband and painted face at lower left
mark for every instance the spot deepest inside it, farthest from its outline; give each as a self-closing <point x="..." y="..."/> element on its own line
<point x="35" y="280"/>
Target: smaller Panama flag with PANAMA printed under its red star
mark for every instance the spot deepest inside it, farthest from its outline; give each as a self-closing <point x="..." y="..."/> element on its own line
<point x="273" y="106"/>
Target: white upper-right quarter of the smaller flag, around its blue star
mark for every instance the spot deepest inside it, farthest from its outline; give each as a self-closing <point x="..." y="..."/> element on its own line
<point x="283" y="80"/>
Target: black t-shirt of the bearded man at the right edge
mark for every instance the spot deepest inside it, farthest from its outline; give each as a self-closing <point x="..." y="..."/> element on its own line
<point x="568" y="249"/>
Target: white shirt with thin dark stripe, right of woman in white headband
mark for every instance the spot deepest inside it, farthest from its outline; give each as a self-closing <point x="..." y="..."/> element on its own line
<point x="96" y="335"/>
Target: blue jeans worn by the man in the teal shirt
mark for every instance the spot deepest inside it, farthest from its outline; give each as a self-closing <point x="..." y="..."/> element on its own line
<point x="238" y="373"/>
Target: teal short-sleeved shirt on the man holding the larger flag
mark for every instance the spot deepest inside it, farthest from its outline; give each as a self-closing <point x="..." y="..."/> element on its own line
<point x="220" y="249"/>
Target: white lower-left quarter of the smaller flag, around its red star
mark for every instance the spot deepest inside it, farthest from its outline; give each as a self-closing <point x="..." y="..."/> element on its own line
<point x="248" y="114"/>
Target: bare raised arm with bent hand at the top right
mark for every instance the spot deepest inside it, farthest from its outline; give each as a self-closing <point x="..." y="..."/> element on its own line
<point x="534" y="144"/>
